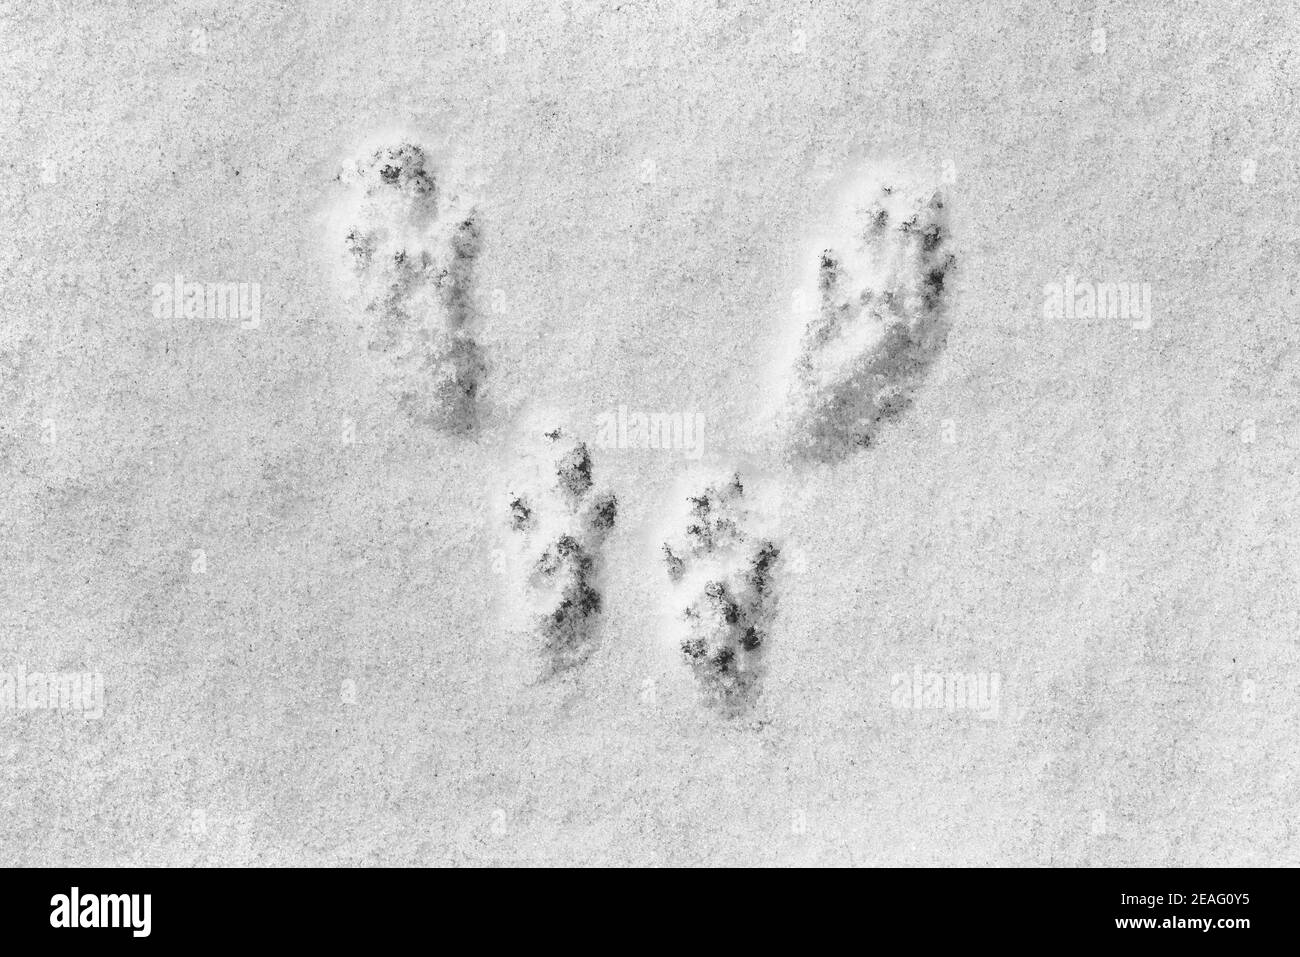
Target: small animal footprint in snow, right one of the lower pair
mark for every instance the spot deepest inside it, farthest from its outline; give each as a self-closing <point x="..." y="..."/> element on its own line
<point x="723" y="595"/>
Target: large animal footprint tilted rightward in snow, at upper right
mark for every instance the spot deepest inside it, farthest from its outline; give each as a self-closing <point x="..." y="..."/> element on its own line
<point x="881" y="318"/>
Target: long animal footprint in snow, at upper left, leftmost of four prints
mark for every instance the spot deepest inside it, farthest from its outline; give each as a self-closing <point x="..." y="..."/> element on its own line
<point x="410" y="254"/>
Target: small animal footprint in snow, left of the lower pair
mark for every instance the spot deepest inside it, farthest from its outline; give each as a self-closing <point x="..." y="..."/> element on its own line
<point x="560" y="525"/>
